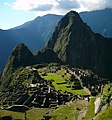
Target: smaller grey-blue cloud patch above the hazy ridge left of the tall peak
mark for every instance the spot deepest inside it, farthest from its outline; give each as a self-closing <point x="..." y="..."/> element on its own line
<point x="45" y="7"/>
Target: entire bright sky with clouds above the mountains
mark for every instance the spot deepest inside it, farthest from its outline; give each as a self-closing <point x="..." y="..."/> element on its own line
<point x="16" y="12"/>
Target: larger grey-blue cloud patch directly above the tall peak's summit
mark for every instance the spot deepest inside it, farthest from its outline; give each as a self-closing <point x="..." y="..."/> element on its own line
<point x="68" y="4"/>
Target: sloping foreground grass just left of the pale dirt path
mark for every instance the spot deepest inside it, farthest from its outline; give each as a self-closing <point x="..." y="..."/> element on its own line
<point x="67" y="112"/>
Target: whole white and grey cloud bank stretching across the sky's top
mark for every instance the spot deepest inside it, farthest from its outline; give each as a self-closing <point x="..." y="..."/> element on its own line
<point x="41" y="7"/>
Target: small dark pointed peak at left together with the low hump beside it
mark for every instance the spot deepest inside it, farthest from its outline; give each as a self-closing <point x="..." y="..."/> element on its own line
<point x="21" y="57"/>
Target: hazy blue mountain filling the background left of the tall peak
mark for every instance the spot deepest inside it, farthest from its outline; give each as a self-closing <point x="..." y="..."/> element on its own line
<point x="34" y="34"/>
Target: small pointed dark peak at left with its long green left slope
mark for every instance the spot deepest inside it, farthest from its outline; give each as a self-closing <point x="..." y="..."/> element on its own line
<point x="21" y="56"/>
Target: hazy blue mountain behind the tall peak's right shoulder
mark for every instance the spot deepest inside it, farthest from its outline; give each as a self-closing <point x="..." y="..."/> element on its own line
<point x="99" y="21"/>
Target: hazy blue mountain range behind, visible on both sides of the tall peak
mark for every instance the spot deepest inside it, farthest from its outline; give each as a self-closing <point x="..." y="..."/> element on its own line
<point x="35" y="34"/>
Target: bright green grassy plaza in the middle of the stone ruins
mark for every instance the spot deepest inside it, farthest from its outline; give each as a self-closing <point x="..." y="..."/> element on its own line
<point x="60" y="82"/>
